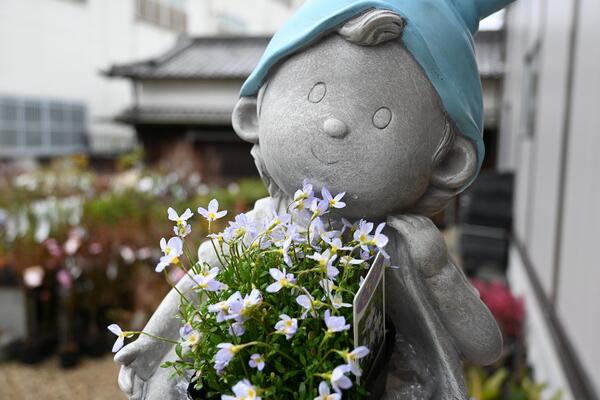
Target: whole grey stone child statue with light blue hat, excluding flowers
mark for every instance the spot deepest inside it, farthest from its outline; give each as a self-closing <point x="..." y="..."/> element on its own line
<point x="380" y="99"/>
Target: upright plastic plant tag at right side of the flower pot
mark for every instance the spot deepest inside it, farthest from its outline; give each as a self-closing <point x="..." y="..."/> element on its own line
<point x="369" y="313"/>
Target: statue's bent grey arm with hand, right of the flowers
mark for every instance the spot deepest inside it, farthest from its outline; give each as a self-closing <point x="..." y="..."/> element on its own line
<point x="469" y="322"/>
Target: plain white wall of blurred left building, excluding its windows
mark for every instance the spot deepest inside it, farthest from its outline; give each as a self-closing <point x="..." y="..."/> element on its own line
<point x="57" y="48"/>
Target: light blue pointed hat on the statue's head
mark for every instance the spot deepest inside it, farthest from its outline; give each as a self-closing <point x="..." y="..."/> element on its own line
<point x="438" y="33"/>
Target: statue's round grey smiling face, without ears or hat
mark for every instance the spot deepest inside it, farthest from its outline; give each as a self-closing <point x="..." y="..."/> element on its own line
<point x="356" y="119"/>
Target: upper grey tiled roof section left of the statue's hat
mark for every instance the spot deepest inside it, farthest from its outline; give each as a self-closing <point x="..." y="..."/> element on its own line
<point x="200" y="58"/>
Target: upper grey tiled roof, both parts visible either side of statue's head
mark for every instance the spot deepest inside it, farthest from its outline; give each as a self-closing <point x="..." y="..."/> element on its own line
<point x="235" y="58"/>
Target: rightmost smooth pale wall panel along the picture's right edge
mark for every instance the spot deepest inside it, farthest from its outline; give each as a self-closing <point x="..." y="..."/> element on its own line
<point x="578" y="294"/>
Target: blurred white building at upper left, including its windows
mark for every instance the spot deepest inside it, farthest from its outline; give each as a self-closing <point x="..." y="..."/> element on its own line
<point x="53" y="99"/>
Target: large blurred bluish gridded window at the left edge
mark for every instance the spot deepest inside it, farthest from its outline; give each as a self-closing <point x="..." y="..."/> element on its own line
<point x="33" y="127"/>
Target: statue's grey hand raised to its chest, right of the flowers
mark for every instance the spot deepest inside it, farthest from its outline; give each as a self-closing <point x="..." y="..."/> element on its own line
<point x="423" y="243"/>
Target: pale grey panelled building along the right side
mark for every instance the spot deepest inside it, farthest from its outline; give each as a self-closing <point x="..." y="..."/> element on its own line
<point x="549" y="138"/>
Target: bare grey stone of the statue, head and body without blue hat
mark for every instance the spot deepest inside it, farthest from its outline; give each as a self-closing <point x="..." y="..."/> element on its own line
<point x="365" y="120"/>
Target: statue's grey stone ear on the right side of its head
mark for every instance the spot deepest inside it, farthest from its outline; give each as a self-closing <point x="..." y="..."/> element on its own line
<point x="458" y="167"/>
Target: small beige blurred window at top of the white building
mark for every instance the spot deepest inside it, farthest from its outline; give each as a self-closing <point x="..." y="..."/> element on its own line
<point x="168" y="14"/>
